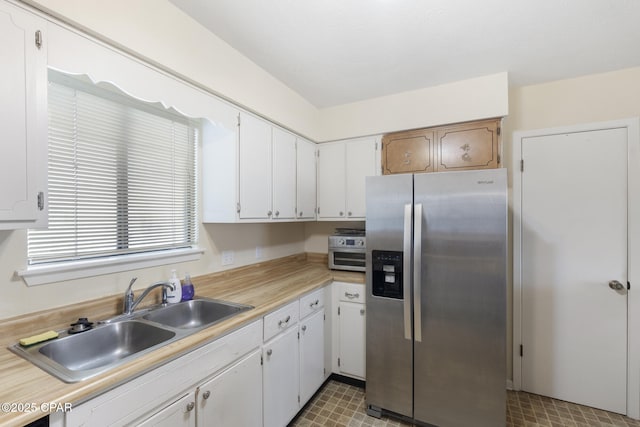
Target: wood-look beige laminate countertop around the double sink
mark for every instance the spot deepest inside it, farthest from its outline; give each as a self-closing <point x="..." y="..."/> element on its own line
<point x="265" y="286"/>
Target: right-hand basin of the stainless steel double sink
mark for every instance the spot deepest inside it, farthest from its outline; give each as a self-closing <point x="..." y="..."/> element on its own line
<point x="198" y="313"/>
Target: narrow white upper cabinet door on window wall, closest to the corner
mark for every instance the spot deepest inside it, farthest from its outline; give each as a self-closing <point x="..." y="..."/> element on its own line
<point x="306" y="179"/>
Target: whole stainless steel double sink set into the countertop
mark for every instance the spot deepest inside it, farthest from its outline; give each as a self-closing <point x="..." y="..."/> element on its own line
<point x="113" y="342"/>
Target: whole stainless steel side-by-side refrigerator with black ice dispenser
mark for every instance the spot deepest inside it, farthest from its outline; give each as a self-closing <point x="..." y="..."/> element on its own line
<point x="436" y="297"/>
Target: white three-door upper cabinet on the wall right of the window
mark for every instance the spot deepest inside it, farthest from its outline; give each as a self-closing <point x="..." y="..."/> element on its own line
<point x="253" y="171"/>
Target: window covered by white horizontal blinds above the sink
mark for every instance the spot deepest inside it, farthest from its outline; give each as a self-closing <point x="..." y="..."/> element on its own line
<point x="122" y="176"/>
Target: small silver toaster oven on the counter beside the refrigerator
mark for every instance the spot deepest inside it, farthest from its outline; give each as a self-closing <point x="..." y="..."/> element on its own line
<point x="347" y="249"/>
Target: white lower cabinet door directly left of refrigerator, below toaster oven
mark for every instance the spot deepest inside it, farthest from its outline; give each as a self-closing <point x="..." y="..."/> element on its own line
<point x="351" y="340"/>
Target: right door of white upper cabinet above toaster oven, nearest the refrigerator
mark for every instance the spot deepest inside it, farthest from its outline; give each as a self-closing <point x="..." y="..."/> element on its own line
<point x="361" y="162"/>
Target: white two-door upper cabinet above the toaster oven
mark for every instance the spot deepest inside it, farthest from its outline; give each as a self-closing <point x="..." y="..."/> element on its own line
<point x="342" y="168"/>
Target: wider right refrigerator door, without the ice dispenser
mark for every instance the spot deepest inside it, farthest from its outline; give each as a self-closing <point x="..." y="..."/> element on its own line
<point x="460" y="363"/>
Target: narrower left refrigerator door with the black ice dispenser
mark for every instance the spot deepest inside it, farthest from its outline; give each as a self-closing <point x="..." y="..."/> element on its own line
<point x="389" y="345"/>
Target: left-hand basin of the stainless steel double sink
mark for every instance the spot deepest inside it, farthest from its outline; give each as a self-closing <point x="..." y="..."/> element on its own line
<point x="105" y="345"/>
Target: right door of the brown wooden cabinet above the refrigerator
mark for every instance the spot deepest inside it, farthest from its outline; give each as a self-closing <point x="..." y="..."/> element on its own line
<point x="468" y="146"/>
